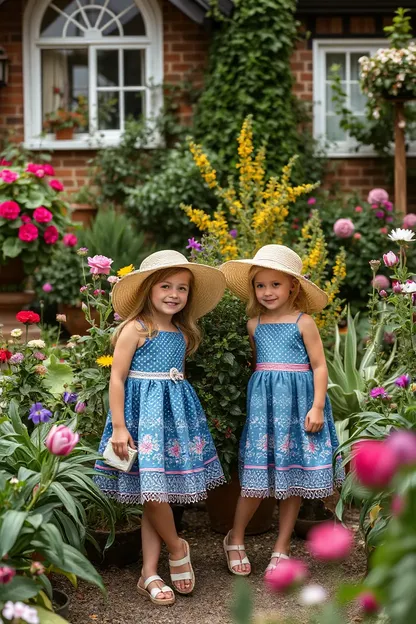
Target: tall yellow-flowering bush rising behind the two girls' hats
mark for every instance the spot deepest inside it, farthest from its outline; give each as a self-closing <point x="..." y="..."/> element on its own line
<point x="253" y="212"/>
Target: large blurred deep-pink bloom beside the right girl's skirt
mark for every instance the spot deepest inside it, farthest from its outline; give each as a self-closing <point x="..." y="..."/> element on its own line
<point x="374" y="463"/>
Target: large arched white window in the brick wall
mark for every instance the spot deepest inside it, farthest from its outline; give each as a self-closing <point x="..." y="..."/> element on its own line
<point x="101" y="58"/>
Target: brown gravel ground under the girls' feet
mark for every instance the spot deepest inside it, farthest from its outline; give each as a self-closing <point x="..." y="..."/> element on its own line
<point x="210" y="602"/>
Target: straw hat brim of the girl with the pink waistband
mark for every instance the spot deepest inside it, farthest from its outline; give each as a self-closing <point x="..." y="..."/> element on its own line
<point x="237" y="275"/>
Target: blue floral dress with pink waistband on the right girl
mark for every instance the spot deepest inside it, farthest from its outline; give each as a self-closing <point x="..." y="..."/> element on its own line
<point x="277" y="456"/>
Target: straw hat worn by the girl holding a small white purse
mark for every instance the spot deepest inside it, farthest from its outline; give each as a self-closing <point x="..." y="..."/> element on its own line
<point x="208" y="288"/>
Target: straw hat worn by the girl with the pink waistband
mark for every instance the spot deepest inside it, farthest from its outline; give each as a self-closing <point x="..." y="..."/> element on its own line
<point x="278" y="258"/>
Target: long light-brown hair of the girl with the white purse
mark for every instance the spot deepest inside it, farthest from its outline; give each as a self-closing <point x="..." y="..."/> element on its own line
<point x="145" y="311"/>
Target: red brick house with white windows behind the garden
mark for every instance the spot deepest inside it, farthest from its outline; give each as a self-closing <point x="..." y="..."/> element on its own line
<point x="108" y="50"/>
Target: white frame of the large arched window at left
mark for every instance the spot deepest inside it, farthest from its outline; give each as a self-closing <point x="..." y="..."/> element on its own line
<point x="152" y="43"/>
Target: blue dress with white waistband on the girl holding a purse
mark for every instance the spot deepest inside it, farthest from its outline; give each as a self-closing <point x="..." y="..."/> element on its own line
<point x="177" y="461"/>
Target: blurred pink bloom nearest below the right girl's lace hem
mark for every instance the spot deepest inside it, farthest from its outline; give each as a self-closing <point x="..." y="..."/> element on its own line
<point x="330" y="541"/>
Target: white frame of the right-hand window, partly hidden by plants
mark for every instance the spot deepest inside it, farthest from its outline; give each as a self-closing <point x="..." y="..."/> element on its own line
<point x="341" y="149"/>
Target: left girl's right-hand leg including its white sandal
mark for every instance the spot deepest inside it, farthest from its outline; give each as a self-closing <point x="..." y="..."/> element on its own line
<point x="161" y="517"/>
